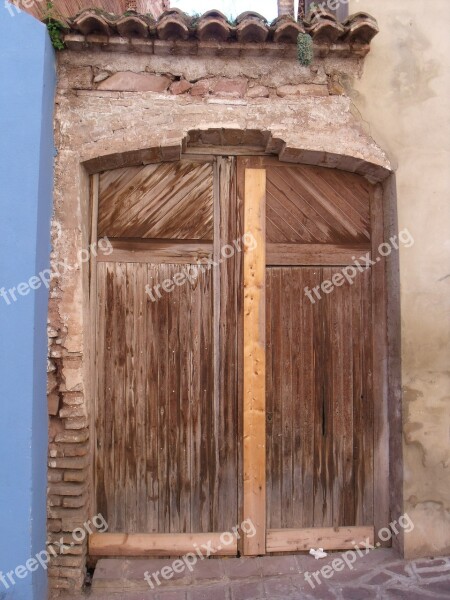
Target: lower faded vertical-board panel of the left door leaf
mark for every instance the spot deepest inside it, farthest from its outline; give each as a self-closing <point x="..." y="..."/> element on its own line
<point x="155" y="437"/>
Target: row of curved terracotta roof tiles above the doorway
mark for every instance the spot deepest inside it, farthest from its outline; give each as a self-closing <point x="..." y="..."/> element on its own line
<point x="213" y="27"/>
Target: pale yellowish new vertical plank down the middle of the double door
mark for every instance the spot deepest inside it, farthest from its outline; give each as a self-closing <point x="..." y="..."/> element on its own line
<point x="254" y="362"/>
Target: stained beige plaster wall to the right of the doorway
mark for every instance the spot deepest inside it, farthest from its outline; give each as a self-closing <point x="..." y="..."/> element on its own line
<point x="403" y="98"/>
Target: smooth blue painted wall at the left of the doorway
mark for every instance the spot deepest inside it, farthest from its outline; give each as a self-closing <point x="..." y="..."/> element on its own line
<point x="27" y="83"/>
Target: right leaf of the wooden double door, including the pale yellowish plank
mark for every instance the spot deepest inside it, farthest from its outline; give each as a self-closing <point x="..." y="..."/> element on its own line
<point x="316" y="368"/>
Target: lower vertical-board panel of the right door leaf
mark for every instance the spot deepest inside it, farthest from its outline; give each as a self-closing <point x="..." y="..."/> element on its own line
<point x="319" y="401"/>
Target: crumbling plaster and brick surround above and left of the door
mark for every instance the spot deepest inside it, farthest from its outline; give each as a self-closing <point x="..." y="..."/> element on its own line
<point x="296" y="112"/>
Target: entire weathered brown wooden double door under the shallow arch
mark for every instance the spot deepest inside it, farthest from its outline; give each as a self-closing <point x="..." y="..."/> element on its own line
<point x="249" y="388"/>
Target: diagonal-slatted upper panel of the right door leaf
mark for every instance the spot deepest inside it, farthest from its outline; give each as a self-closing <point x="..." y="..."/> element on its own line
<point x="313" y="205"/>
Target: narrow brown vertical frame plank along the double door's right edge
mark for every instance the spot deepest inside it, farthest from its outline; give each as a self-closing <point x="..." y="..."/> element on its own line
<point x="379" y="350"/>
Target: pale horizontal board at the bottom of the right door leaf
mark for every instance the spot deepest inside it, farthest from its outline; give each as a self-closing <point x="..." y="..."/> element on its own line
<point x="328" y="538"/>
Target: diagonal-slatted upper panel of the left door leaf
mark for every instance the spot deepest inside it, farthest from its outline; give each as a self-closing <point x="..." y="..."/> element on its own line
<point x="166" y="200"/>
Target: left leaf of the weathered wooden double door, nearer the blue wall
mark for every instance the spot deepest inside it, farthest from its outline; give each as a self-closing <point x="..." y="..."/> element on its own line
<point x="167" y="442"/>
